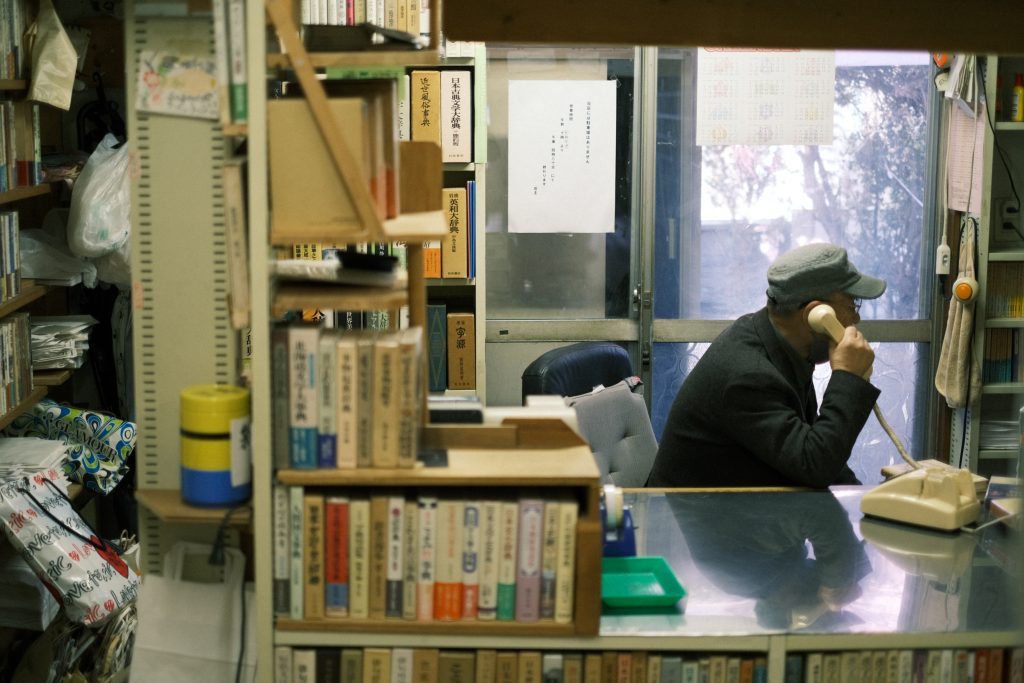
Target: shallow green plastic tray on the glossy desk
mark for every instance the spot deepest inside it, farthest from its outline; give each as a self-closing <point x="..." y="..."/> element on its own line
<point x="639" y="582"/>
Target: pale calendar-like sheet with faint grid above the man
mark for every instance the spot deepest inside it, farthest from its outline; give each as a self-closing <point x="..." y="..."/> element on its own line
<point x="764" y="97"/>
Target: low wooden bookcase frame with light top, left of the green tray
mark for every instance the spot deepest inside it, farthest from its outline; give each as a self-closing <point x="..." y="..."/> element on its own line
<point x="531" y="455"/>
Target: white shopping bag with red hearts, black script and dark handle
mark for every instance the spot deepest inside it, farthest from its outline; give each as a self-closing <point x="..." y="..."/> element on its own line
<point x="86" y="574"/>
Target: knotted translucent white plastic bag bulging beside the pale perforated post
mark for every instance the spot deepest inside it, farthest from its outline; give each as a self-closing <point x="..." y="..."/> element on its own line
<point x="101" y="202"/>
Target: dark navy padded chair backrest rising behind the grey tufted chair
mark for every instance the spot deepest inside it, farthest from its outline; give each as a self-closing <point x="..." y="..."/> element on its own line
<point x="576" y="369"/>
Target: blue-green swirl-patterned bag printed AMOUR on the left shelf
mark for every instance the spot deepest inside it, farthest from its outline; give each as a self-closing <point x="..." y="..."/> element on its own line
<point x="99" y="446"/>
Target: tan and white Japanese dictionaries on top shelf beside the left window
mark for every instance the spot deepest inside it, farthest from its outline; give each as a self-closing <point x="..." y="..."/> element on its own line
<point x="437" y="106"/>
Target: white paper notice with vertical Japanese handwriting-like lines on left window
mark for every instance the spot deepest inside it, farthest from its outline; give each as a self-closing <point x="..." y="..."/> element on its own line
<point x="562" y="156"/>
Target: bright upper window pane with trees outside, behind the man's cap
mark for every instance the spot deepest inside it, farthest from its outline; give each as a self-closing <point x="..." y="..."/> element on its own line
<point x="717" y="233"/>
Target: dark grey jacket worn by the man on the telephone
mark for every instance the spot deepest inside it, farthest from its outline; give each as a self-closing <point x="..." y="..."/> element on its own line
<point x="743" y="419"/>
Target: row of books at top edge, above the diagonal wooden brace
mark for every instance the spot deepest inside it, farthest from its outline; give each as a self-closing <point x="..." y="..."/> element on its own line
<point x="408" y="16"/>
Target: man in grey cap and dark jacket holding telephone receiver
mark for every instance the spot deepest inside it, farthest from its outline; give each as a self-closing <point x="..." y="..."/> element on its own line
<point x="748" y="416"/>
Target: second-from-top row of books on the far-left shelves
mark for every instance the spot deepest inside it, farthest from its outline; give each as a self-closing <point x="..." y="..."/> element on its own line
<point x="21" y="156"/>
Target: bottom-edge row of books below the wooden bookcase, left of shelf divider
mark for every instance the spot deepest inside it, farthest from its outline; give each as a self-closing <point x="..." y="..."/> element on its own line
<point x="404" y="665"/>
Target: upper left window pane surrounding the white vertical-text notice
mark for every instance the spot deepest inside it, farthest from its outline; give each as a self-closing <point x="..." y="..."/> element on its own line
<point x="558" y="276"/>
